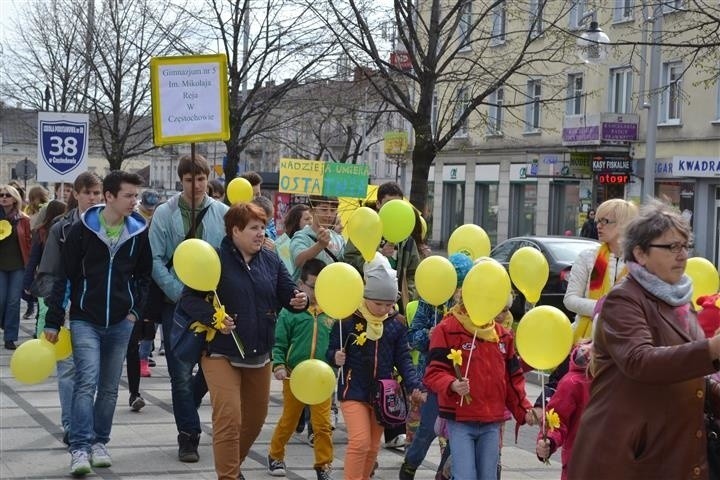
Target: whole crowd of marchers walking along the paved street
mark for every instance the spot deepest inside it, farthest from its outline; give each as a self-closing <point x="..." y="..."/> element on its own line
<point x="98" y="259"/>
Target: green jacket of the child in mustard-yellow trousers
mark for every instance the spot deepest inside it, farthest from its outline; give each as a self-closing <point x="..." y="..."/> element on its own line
<point x="300" y="336"/>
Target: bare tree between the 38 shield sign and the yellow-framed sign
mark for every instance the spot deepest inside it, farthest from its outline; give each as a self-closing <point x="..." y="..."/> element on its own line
<point x="123" y="36"/>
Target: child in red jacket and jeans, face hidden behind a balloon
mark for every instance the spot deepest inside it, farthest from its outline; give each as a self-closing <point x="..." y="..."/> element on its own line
<point x="474" y="403"/>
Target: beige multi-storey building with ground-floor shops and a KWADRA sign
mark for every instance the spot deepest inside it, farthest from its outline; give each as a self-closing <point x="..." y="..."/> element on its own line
<point x="536" y="167"/>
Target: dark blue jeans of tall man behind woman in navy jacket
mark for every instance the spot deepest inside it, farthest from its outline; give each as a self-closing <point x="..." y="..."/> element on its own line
<point x="187" y="390"/>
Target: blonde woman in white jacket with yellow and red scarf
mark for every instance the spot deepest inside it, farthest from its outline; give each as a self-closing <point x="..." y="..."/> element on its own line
<point x="596" y="270"/>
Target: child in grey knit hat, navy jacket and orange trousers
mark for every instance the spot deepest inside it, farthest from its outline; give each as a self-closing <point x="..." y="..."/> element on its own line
<point x="367" y="346"/>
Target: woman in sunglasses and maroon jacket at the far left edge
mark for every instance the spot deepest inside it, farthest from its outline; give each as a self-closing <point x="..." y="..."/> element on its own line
<point x="14" y="251"/>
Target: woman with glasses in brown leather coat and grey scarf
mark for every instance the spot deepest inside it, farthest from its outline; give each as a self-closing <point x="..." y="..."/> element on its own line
<point x="645" y="414"/>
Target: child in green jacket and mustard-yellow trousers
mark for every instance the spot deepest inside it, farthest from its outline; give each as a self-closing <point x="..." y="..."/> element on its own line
<point x="298" y="337"/>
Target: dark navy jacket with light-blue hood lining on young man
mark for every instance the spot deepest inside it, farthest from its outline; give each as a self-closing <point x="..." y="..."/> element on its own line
<point x="106" y="282"/>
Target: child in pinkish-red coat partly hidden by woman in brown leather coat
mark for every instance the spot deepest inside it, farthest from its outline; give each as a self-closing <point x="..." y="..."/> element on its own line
<point x="568" y="403"/>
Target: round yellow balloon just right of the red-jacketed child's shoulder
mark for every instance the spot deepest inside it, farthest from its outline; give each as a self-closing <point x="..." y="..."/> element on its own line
<point x="544" y="337"/>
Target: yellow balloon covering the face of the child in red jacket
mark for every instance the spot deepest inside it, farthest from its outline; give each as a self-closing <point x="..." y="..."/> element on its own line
<point x="485" y="291"/>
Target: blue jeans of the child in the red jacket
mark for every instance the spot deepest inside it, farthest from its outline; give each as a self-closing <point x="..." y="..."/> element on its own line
<point x="475" y="450"/>
